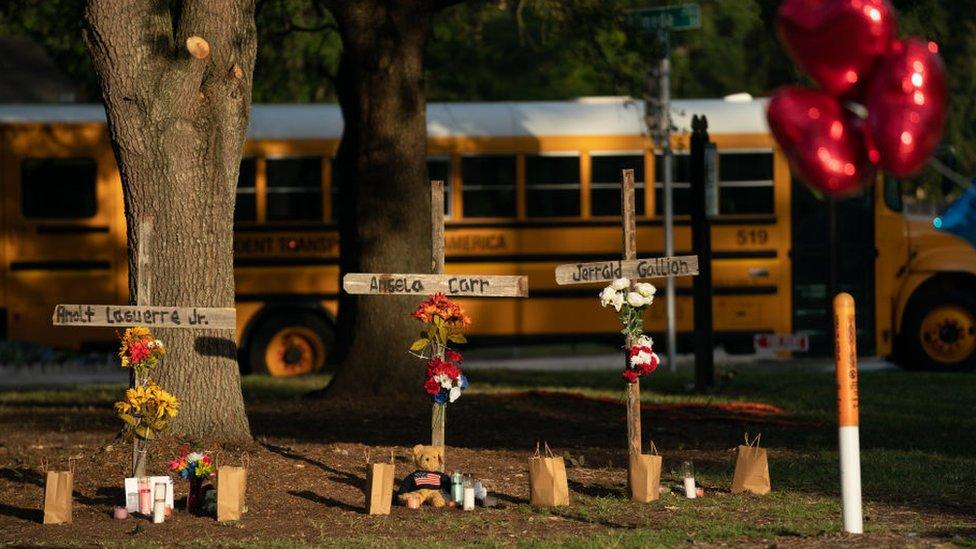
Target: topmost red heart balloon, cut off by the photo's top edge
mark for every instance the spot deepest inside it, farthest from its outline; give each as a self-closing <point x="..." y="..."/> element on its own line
<point x="840" y="43"/>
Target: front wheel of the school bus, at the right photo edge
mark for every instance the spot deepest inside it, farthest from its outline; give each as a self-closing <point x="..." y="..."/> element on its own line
<point x="941" y="332"/>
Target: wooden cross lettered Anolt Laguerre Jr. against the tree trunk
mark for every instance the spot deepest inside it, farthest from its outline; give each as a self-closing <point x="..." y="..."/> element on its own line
<point x="144" y="314"/>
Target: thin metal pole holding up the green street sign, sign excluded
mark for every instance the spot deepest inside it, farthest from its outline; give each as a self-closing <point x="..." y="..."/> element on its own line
<point x="664" y="121"/>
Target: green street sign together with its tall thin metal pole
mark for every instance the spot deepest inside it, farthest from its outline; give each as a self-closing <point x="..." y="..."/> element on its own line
<point x="657" y="115"/>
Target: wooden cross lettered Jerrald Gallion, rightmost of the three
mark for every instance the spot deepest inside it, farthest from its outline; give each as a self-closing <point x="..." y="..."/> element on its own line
<point x="634" y="269"/>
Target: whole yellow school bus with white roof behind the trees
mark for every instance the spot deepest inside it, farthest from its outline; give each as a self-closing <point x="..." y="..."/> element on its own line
<point x="529" y="186"/>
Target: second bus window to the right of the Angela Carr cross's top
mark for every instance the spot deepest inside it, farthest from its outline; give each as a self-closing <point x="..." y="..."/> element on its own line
<point x="552" y="186"/>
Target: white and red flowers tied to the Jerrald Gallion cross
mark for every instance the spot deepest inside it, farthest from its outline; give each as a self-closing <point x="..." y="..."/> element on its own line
<point x="630" y="301"/>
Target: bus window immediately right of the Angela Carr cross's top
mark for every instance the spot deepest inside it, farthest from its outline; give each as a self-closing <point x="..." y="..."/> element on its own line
<point x="489" y="186"/>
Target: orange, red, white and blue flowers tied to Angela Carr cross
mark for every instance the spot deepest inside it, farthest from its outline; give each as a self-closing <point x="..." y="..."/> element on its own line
<point x="444" y="322"/>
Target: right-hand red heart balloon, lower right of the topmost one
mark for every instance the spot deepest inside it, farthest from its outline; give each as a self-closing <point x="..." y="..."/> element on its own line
<point x="907" y="106"/>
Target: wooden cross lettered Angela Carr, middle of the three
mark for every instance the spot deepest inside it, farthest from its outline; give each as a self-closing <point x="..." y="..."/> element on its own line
<point x="467" y="285"/>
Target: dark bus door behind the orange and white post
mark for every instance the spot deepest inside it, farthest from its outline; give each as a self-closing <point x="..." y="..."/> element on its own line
<point x="827" y="262"/>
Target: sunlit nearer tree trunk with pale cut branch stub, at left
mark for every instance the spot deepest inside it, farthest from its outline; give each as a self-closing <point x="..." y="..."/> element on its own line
<point x="176" y="82"/>
